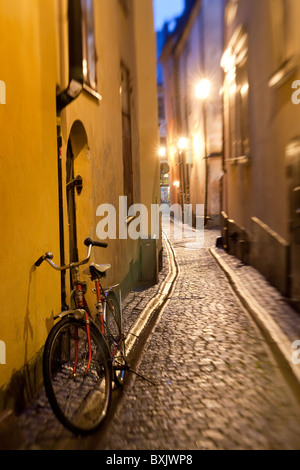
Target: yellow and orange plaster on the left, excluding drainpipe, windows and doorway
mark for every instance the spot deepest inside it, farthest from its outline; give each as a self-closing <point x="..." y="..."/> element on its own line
<point x="33" y="52"/>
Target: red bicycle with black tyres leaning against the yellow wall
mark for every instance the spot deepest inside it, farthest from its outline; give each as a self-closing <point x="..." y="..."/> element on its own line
<point x="84" y="355"/>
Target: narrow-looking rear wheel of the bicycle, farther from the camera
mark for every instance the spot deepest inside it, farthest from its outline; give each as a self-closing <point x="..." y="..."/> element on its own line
<point x="115" y="337"/>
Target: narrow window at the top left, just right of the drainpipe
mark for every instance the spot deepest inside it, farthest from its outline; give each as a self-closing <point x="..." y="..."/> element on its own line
<point x="88" y="44"/>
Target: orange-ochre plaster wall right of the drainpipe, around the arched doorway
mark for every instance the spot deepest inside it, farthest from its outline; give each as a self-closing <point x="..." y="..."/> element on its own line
<point x="128" y="38"/>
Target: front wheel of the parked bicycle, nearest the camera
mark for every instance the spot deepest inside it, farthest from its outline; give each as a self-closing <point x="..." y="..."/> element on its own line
<point x="78" y="386"/>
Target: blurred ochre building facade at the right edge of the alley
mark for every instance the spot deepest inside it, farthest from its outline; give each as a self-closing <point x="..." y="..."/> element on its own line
<point x="261" y="195"/>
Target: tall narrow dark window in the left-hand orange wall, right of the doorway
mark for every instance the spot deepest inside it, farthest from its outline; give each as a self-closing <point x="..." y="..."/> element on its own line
<point x="126" y="134"/>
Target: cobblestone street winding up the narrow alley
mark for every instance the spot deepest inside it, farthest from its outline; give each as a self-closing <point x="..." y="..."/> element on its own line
<point x="217" y="386"/>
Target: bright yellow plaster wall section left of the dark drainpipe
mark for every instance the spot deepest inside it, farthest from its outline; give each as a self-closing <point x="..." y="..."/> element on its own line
<point x="28" y="168"/>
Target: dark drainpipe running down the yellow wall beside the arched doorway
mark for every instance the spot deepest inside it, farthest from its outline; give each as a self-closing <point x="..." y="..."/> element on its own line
<point x="62" y="101"/>
